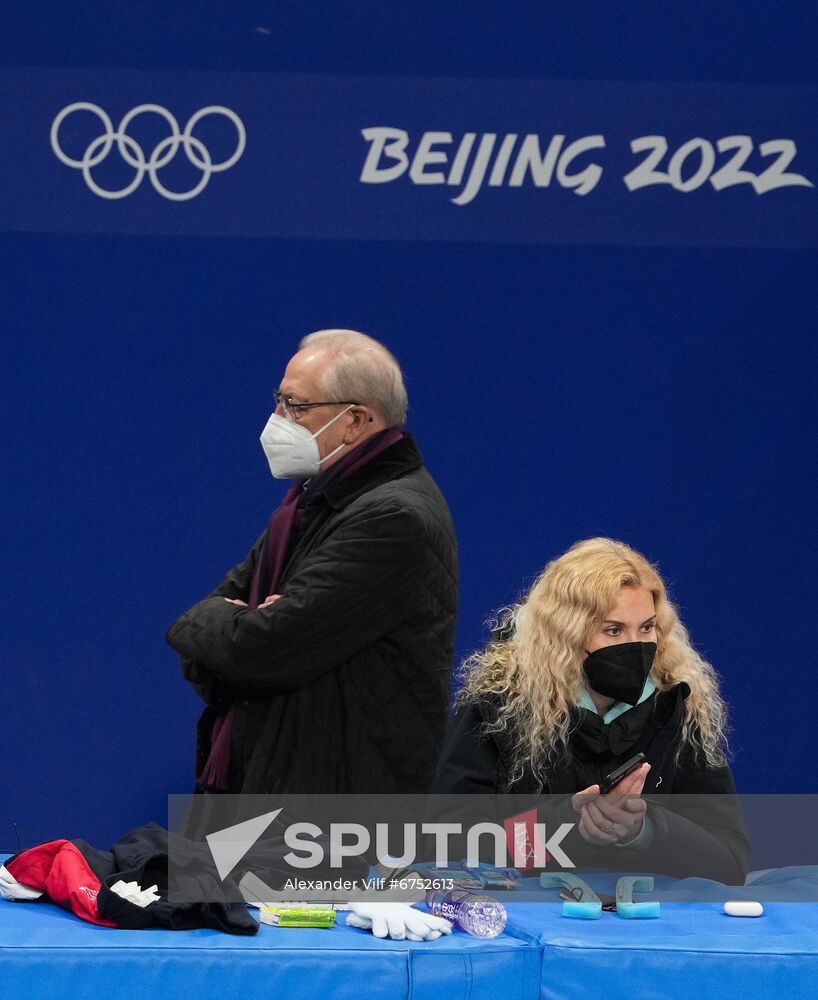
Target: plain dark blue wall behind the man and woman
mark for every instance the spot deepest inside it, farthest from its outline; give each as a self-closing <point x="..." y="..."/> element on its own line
<point x="638" y="363"/>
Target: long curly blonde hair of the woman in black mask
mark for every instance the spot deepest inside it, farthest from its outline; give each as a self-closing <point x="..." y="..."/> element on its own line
<point x="534" y="665"/>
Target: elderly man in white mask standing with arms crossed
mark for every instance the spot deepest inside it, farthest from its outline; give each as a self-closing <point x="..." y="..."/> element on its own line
<point x="325" y="656"/>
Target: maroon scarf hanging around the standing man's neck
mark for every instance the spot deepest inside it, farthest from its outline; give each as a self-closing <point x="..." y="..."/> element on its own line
<point x="269" y="569"/>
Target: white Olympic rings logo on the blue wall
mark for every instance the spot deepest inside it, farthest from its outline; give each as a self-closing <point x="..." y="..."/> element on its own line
<point x="133" y="154"/>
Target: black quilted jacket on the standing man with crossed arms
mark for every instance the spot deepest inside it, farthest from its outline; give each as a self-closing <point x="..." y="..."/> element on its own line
<point x="342" y="684"/>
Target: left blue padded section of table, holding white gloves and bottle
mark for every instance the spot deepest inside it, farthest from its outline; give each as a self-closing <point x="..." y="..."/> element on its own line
<point x="46" y="952"/>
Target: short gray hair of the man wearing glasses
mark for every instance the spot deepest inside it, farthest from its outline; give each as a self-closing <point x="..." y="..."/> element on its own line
<point x="362" y="369"/>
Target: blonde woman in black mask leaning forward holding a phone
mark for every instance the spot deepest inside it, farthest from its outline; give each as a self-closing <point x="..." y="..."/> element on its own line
<point x="590" y="669"/>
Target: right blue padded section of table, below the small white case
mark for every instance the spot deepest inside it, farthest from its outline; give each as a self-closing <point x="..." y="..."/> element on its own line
<point x="692" y="950"/>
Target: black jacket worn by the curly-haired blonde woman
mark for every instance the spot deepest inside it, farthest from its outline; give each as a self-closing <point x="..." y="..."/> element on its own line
<point x="694" y="815"/>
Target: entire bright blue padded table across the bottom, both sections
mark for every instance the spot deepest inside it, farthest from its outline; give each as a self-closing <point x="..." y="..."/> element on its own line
<point x="692" y="950"/>
